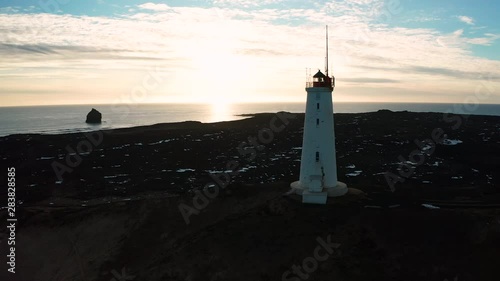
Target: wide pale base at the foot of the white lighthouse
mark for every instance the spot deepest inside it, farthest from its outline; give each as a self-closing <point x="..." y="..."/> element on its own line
<point x="318" y="197"/>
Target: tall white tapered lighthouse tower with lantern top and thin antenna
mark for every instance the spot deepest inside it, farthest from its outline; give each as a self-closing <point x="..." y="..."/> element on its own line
<point x="318" y="164"/>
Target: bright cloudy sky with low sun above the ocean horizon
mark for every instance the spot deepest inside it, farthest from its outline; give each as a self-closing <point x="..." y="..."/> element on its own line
<point x="233" y="51"/>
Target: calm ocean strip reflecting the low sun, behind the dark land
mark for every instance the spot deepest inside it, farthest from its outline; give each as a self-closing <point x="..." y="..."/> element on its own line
<point x="71" y="118"/>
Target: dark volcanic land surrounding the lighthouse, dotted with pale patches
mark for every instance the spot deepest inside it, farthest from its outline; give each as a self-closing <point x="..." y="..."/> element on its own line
<point x="116" y="205"/>
